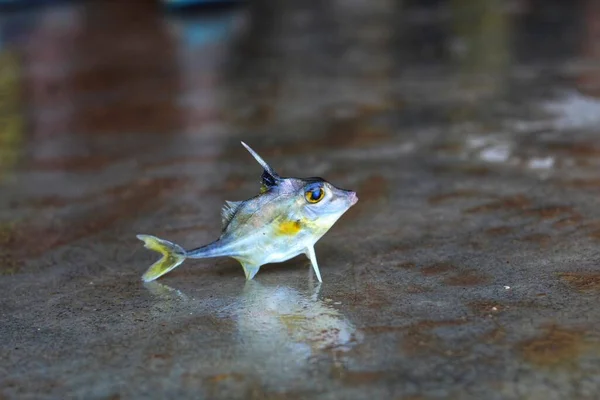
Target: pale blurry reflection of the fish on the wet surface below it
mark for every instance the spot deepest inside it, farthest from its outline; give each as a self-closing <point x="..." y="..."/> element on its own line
<point x="280" y="330"/>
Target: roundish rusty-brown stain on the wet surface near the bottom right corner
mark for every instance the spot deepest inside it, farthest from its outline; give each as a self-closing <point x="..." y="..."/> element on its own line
<point x="557" y="347"/>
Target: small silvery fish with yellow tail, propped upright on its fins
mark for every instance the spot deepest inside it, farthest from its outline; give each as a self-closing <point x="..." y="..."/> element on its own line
<point x="286" y="219"/>
